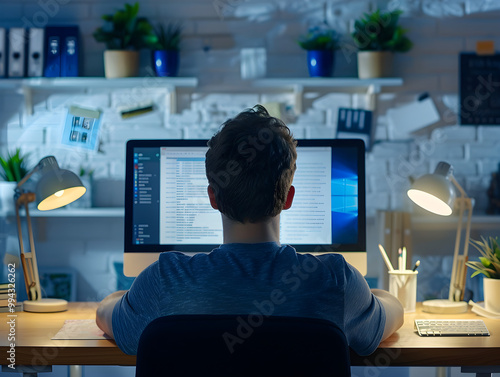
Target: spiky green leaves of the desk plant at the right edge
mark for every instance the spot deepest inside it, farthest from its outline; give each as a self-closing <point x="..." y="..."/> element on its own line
<point x="489" y="262"/>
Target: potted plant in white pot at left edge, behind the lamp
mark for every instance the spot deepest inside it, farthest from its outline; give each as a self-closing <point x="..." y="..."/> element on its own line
<point x="13" y="170"/>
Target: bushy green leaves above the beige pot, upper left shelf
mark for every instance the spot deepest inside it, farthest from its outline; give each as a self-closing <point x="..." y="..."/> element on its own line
<point x="124" y="30"/>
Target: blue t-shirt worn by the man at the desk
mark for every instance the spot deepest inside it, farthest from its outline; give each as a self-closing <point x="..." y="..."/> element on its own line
<point x="253" y="279"/>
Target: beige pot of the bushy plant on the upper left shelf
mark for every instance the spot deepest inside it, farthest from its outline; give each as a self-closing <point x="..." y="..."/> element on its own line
<point x="121" y="63"/>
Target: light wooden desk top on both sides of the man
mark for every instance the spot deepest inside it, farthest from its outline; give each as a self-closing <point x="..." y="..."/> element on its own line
<point x="404" y="348"/>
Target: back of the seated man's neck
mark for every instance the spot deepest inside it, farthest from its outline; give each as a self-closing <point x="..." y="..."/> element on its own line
<point x="265" y="231"/>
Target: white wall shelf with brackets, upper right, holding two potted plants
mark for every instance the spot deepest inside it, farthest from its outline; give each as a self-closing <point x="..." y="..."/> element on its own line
<point x="345" y="84"/>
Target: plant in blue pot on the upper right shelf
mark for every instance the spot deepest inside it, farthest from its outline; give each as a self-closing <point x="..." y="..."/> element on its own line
<point x="320" y="43"/>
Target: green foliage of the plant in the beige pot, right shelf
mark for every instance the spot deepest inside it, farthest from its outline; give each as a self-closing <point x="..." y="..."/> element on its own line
<point x="379" y="31"/>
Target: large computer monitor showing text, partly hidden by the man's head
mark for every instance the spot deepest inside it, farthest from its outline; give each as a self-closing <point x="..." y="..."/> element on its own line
<point x="167" y="206"/>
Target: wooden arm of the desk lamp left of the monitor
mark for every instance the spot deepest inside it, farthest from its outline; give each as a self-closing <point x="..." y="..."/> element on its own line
<point x="28" y="259"/>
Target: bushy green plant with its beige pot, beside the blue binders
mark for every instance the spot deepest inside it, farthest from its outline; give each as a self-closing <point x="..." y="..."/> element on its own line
<point x="124" y="34"/>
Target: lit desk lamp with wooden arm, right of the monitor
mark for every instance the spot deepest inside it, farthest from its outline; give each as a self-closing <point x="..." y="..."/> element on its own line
<point x="437" y="194"/>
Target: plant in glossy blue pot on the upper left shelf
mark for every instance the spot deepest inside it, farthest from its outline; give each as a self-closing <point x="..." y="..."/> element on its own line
<point x="166" y="49"/>
